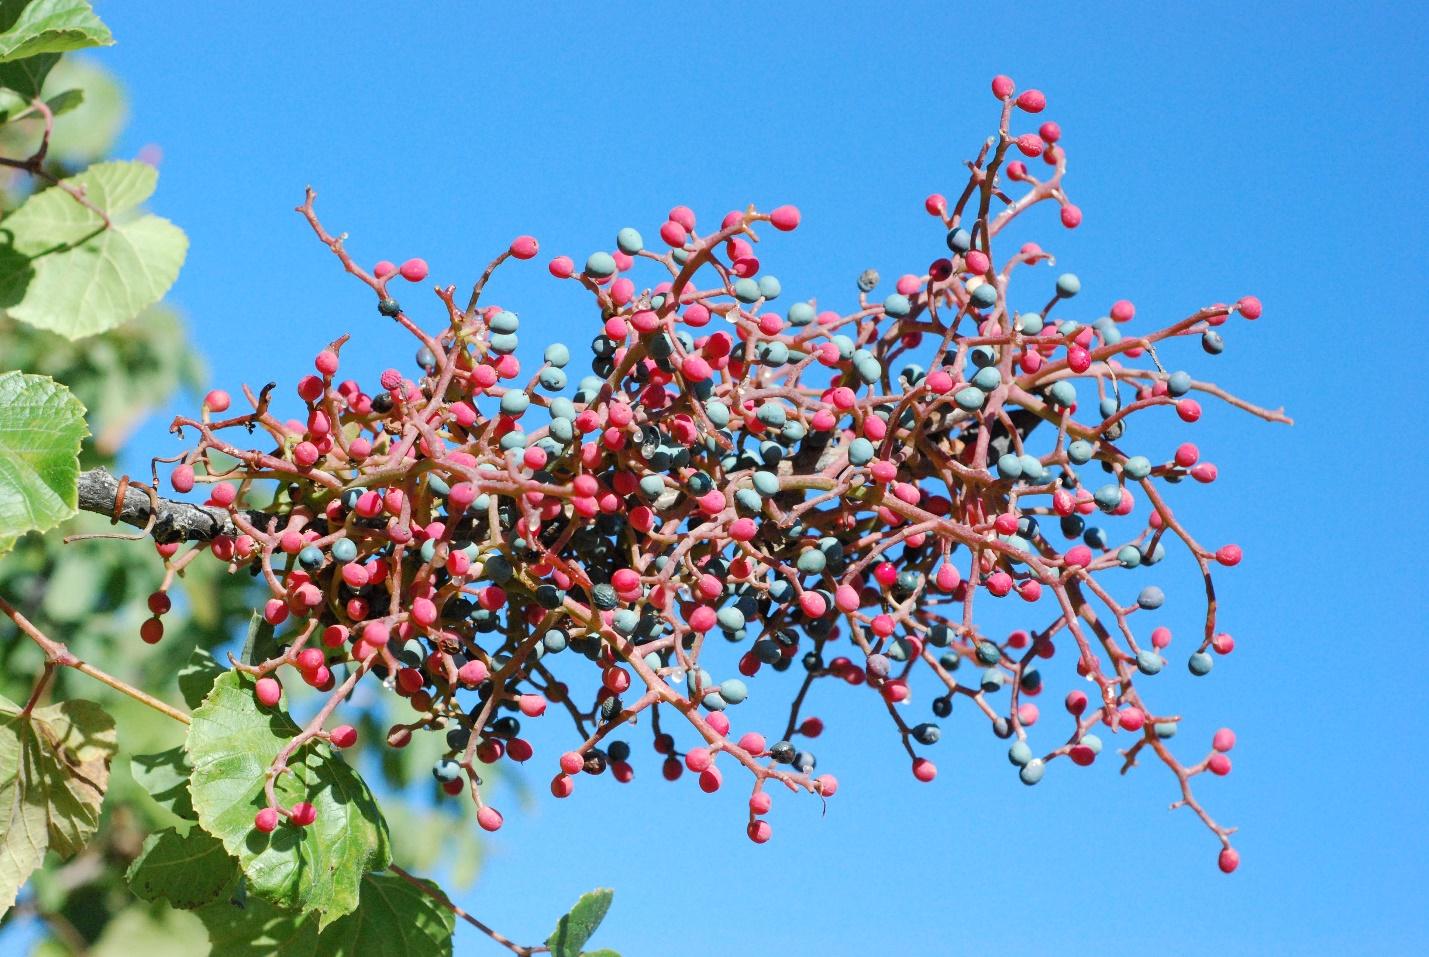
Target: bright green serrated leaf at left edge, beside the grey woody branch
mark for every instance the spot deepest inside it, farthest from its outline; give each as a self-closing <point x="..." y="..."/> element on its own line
<point x="42" y="426"/>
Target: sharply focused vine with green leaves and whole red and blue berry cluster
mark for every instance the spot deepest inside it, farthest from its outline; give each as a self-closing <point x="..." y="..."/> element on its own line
<point x="847" y="493"/>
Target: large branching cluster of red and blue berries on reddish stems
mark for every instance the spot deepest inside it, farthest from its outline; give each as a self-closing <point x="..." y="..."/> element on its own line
<point x="832" y="493"/>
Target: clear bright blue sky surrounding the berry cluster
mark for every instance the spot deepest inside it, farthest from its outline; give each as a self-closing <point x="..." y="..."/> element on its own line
<point x="1217" y="149"/>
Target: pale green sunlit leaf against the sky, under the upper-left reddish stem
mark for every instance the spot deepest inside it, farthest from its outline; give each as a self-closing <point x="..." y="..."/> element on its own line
<point x="69" y="272"/>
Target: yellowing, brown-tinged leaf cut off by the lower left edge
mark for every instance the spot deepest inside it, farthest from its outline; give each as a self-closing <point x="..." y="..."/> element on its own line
<point x="54" y="775"/>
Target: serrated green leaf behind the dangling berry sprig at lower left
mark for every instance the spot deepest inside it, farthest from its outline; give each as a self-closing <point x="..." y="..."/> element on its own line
<point x="232" y="745"/>
